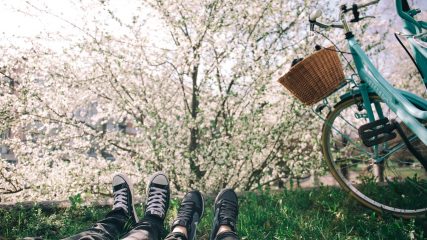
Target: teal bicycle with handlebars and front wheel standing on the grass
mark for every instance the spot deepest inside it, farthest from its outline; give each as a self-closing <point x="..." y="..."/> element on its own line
<point x="374" y="139"/>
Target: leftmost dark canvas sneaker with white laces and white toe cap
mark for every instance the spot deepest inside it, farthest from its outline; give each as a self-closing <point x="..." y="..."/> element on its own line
<point x="123" y="196"/>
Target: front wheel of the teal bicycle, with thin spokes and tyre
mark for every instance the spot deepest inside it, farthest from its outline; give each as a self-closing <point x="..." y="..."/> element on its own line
<point x="385" y="177"/>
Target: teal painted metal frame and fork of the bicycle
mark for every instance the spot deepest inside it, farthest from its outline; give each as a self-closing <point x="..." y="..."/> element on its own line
<point x="399" y="101"/>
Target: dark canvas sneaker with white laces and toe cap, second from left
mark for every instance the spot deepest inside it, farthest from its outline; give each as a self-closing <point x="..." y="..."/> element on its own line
<point x="158" y="195"/>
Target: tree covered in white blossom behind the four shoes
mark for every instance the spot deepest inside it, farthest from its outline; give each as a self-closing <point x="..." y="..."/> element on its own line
<point x="194" y="95"/>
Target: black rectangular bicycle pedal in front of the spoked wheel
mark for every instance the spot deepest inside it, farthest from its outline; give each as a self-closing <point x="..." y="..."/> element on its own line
<point x="377" y="132"/>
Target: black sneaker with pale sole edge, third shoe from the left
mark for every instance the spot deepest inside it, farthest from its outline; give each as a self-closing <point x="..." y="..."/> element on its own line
<point x="190" y="212"/>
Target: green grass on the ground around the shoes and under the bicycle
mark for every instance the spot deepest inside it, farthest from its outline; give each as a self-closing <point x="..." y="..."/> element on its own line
<point x="324" y="213"/>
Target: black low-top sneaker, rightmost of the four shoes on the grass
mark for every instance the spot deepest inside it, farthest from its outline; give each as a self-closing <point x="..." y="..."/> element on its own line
<point x="226" y="210"/>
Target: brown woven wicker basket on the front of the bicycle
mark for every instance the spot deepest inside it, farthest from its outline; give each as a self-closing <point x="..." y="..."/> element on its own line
<point x="315" y="77"/>
